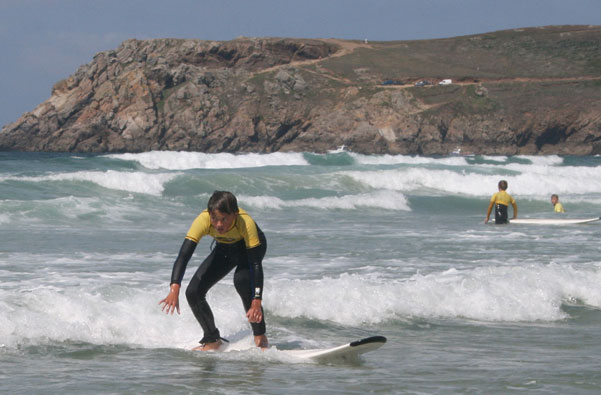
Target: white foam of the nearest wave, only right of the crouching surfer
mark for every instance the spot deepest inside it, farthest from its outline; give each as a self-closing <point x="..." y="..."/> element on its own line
<point x="504" y="294"/>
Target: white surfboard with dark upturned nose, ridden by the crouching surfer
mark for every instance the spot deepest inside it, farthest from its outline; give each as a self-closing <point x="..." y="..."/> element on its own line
<point x="347" y="352"/>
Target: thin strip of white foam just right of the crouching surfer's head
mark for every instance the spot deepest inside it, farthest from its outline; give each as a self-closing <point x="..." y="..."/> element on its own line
<point x="378" y="199"/>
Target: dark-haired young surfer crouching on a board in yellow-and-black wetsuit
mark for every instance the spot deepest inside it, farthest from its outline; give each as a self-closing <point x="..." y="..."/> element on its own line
<point x="240" y="244"/>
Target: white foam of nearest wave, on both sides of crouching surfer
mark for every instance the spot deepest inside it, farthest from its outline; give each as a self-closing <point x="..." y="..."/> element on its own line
<point x="110" y="307"/>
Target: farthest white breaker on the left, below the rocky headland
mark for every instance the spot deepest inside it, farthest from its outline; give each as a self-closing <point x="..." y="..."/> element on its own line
<point x="172" y="160"/>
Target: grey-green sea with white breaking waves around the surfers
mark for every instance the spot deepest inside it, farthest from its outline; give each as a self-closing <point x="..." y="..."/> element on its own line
<point x="357" y="246"/>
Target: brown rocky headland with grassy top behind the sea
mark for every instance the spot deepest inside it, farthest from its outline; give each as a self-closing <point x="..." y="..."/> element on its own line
<point x="516" y="92"/>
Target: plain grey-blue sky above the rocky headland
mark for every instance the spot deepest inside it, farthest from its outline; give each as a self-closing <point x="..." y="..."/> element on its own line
<point x="45" y="41"/>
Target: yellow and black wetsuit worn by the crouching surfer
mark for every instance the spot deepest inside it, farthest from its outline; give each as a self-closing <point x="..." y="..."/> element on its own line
<point x="242" y="247"/>
